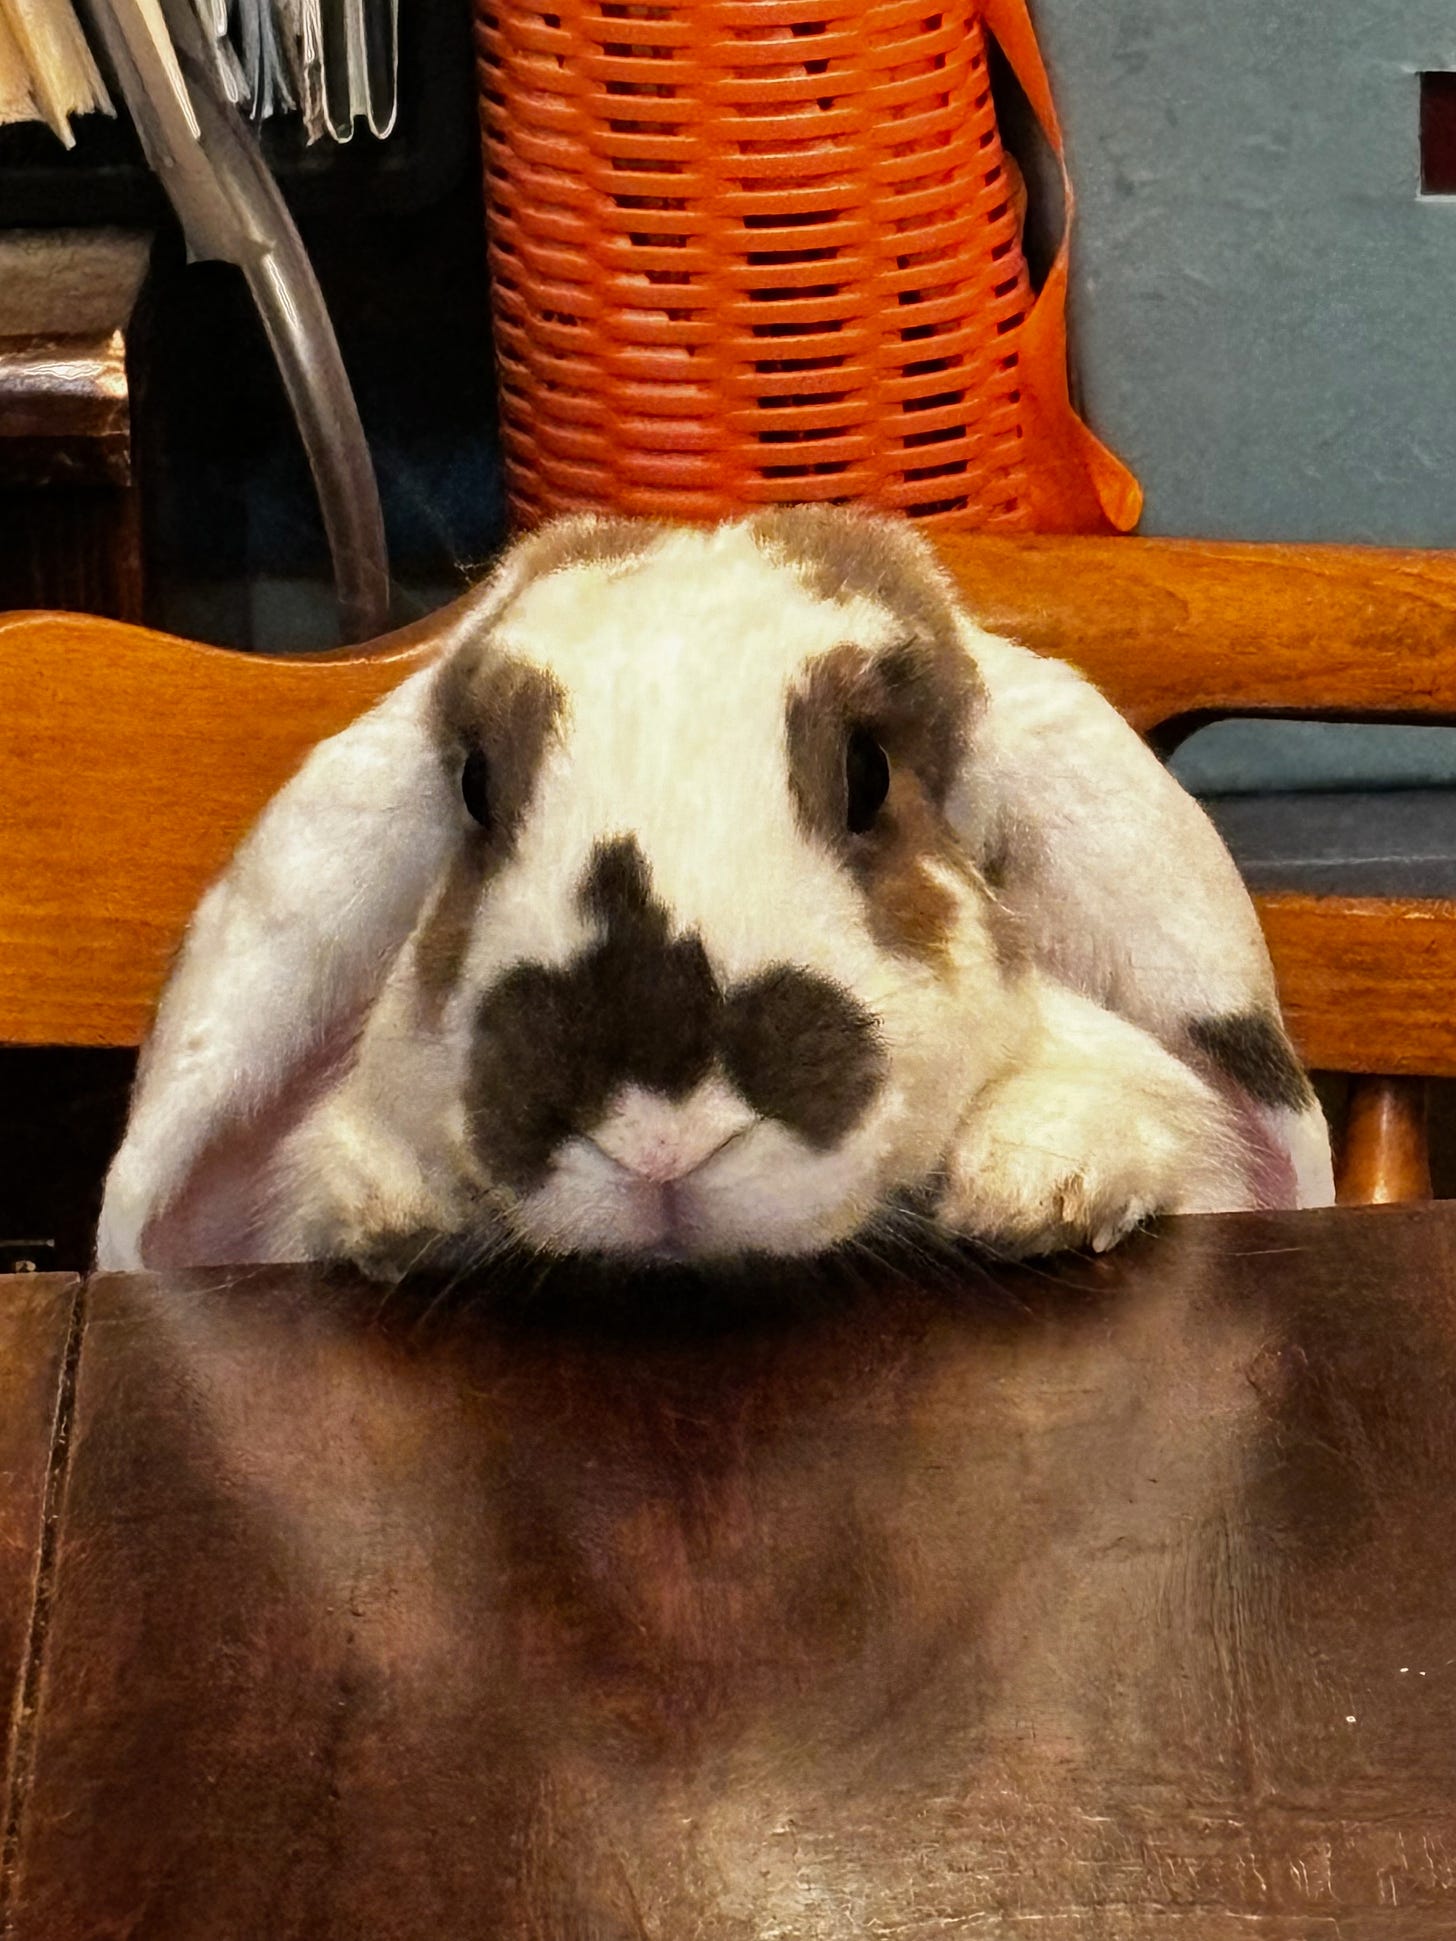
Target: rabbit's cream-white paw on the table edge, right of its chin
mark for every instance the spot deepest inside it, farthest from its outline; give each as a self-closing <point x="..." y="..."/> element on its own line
<point x="1094" y="1135"/>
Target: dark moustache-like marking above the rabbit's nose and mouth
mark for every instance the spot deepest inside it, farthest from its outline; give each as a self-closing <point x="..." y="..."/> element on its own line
<point x="642" y="1006"/>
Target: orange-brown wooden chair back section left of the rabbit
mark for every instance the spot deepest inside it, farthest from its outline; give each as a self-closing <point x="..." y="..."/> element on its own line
<point x="133" y="768"/>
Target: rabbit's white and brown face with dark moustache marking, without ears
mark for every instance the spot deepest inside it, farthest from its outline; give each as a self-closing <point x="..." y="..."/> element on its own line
<point x="710" y="971"/>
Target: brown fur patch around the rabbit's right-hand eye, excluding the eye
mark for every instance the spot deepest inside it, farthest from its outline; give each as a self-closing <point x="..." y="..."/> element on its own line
<point x="917" y="702"/>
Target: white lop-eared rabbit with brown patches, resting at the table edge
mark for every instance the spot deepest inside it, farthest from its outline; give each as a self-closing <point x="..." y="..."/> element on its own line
<point x="713" y="894"/>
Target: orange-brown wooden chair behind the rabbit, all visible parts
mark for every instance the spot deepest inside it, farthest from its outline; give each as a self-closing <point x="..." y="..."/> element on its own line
<point x="135" y="762"/>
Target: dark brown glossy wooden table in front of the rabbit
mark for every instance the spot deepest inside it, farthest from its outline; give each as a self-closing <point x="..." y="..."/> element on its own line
<point x="1113" y="1602"/>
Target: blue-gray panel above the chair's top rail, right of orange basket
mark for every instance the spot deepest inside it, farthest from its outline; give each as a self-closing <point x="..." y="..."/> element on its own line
<point x="1267" y="306"/>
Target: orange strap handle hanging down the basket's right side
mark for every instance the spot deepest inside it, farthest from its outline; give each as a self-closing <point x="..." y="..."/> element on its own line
<point x="1076" y="482"/>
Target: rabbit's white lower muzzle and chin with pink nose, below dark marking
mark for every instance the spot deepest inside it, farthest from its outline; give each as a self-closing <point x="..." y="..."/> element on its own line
<point x="764" y="1195"/>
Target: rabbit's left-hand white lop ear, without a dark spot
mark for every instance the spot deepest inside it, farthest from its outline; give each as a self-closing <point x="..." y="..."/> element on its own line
<point x="279" y="968"/>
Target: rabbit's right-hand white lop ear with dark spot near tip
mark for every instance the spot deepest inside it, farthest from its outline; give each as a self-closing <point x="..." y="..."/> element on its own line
<point x="1121" y="888"/>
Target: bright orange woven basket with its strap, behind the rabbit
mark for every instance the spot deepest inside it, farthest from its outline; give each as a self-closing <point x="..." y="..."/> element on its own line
<point x="762" y="251"/>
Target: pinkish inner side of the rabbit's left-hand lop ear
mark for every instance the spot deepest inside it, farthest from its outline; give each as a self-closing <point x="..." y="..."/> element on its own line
<point x="222" y="1212"/>
